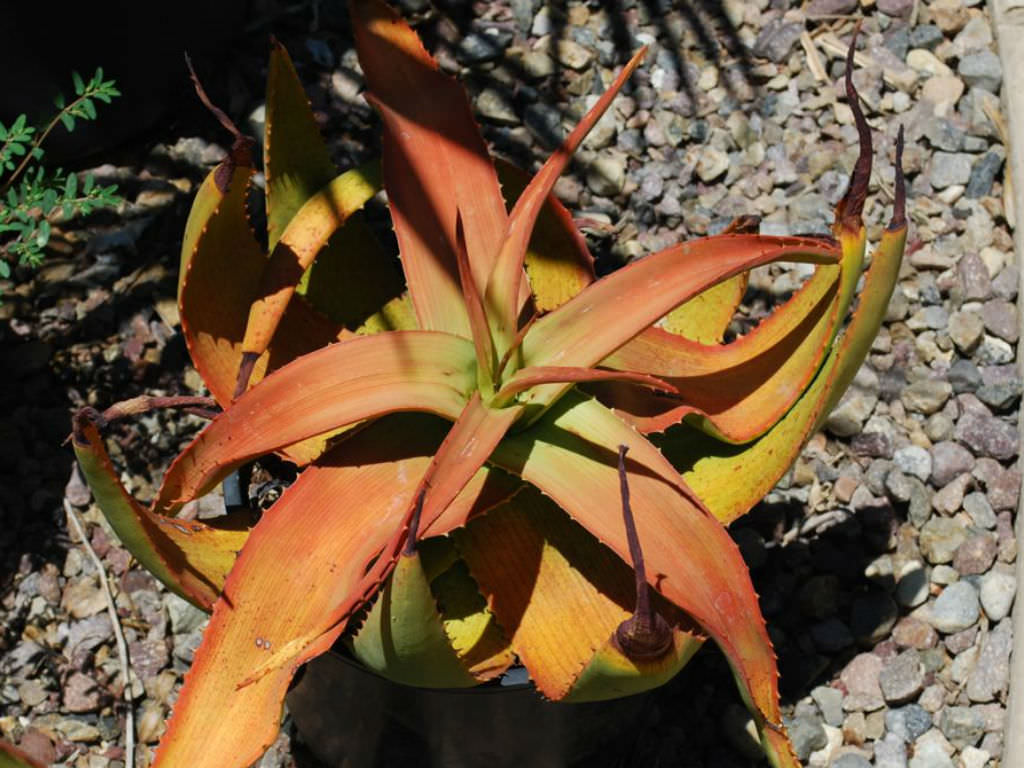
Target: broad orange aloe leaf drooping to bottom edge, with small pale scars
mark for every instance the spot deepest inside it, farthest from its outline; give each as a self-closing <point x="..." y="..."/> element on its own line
<point x="300" y="577"/>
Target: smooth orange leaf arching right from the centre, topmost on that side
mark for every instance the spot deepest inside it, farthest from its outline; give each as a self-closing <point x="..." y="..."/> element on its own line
<point x="615" y="310"/>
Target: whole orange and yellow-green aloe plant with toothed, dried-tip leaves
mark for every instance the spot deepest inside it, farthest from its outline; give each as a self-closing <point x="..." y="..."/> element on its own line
<point x="468" y="424"/>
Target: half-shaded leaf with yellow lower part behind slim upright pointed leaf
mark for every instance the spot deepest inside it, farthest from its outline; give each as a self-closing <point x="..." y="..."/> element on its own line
<point x="559" y="263"/>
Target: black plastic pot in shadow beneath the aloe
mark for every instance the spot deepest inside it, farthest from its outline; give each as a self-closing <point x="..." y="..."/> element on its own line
<point x="354" y="718"/>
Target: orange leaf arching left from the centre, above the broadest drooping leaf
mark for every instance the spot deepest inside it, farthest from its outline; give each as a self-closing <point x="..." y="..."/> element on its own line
<point x="356" y="379"/>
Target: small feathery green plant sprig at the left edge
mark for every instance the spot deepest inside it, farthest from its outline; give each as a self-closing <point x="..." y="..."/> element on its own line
<point x="33" y="197"/>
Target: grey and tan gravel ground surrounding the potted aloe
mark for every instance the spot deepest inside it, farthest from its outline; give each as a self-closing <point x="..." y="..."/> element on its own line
<point x="884" y="559"/>
